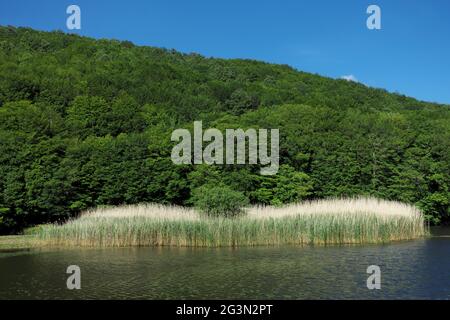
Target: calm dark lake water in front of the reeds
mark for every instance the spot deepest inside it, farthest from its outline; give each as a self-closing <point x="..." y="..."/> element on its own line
<point x="413" y="269"/>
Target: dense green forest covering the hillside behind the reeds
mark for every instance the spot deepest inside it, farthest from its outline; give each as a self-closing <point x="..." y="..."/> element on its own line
<point x="86" y="122"/>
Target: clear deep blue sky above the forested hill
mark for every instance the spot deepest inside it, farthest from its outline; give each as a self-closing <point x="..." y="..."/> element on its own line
<point x="409" y="55"/>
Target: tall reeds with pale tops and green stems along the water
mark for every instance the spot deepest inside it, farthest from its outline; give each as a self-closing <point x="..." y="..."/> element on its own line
<point x="351" y="221"/>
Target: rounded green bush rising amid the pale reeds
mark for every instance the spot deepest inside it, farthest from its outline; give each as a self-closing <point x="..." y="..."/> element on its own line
<point x="219" y="201"/>
